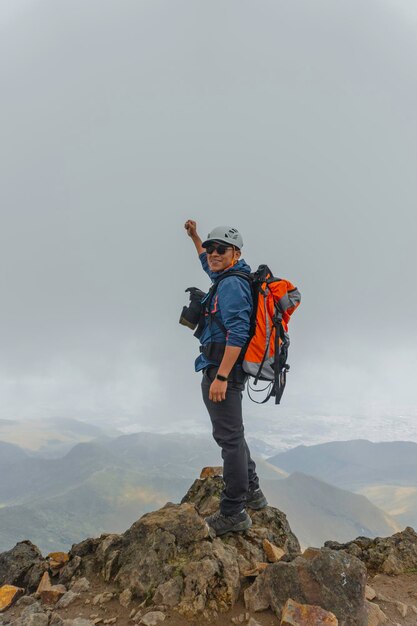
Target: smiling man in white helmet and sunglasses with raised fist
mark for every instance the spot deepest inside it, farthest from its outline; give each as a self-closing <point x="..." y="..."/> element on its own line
<point x="225" y="332"/>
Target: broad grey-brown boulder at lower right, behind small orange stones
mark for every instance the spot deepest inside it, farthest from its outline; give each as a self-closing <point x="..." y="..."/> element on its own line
<point x="332" y="580"/>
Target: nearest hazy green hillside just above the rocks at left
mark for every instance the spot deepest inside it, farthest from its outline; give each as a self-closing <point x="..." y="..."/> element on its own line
<point x="107" y="501"/>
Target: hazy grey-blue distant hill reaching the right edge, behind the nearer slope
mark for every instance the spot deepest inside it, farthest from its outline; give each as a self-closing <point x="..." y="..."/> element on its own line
<point x="354" y="464"/>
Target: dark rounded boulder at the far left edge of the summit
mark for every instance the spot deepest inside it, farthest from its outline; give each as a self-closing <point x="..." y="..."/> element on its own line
<point x="22" y="566"/>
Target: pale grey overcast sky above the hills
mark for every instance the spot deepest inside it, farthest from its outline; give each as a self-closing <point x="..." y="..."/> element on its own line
<point x="293" y="121"/>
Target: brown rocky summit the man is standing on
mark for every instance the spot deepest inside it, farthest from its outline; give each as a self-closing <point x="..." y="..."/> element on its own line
<point x="169" y="567"/>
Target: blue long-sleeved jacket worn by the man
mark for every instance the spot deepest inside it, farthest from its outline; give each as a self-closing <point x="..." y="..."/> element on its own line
<point x="233" y="304"/>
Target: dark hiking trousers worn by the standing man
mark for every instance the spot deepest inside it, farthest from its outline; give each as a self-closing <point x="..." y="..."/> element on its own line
<point x="239" y="470"/>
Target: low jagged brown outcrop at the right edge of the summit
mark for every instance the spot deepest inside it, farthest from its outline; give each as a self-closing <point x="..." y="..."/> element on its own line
<point x="389" y="555"/>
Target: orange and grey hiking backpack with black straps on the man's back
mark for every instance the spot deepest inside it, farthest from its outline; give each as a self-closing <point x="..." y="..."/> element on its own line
<point x="264" y="357"/>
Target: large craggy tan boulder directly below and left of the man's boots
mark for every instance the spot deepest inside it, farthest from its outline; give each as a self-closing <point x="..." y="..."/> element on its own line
<point x="175" y="542"/>
